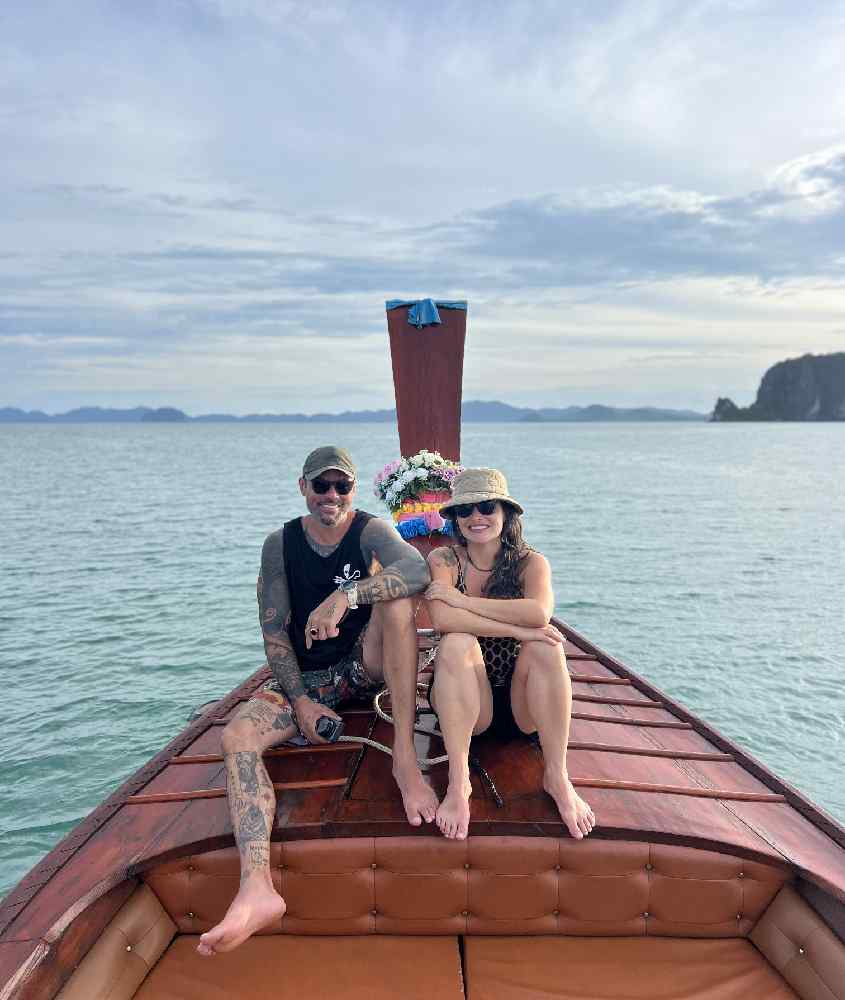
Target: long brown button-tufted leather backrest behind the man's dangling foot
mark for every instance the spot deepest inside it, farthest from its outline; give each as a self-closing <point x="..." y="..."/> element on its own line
<point x="484" y="885"/>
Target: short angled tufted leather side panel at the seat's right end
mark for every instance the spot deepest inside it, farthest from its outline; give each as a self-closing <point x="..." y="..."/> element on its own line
<point x="802" y="948"/>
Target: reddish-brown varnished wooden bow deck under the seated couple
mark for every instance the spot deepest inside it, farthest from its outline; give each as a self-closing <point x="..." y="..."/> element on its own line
<point x="651" y="770"/>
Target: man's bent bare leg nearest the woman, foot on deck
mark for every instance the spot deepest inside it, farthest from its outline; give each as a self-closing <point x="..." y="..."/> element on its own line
<point x="392" y="638"/>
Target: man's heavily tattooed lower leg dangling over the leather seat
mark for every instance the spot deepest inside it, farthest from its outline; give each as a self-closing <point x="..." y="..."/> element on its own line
<point x="261" y="723"/>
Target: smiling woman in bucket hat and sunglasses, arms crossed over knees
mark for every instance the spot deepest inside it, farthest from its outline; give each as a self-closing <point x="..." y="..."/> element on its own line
<point x="500" y="661"/>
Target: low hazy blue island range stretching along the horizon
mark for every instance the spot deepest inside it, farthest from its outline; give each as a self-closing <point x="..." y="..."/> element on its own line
<point x="474" y="411"/>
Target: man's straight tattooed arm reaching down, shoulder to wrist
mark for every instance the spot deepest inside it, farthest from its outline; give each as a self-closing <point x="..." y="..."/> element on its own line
<point x="273" y="613"/>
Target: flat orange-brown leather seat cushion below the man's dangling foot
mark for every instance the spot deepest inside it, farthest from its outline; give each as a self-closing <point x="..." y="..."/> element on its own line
<point x="290" y="967"/>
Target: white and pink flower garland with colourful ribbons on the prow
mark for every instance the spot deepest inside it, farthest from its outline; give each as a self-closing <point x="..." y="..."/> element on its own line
<point x="413" y="489"/>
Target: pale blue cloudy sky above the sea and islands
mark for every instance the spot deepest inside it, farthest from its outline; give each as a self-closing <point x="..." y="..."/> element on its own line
<point x="206" y="203"/>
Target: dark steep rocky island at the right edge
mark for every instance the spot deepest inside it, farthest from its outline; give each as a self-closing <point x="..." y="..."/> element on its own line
<point x="809" y="388"/>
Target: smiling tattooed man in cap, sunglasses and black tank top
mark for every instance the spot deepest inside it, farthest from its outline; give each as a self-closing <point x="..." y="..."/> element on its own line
<point x="332" y="630"/>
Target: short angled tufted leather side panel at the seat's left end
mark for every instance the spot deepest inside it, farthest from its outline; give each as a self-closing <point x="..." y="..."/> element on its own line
<point x="128" y="948"/>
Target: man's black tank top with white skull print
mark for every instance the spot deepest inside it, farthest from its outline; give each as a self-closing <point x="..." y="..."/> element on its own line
<point x="311" y="578"/>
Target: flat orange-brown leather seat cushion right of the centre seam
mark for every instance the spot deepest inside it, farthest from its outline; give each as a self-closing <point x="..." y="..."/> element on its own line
<point x="520" y="968"/>
